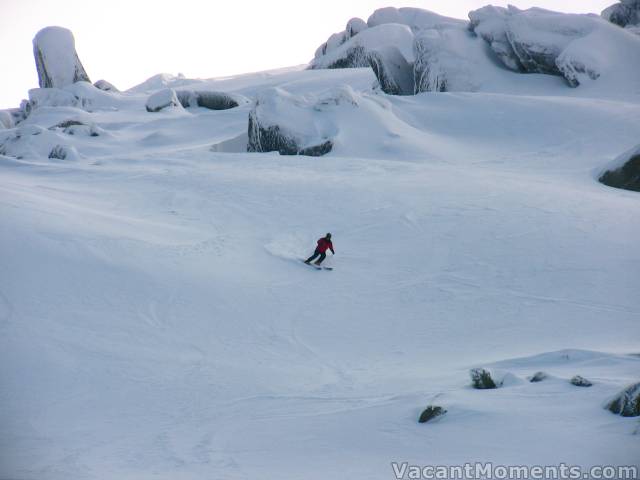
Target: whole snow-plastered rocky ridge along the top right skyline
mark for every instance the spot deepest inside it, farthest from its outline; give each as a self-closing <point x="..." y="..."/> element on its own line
<point x="446" y="55"/>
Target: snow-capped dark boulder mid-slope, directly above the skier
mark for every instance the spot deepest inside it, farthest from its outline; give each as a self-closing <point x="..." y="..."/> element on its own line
<point x="281" y="122"/>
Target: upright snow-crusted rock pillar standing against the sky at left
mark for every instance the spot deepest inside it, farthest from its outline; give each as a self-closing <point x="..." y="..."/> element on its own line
<point x="56" y="59"/>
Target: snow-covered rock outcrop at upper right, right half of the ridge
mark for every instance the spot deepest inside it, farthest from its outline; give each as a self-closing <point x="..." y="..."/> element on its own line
<point x="578" y="47"/>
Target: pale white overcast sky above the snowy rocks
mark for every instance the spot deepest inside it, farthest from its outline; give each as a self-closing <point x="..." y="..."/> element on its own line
<point x="127" y="41"/>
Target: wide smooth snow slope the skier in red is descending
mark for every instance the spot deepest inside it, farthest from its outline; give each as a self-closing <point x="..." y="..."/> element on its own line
<point x="156" y="322"/>
